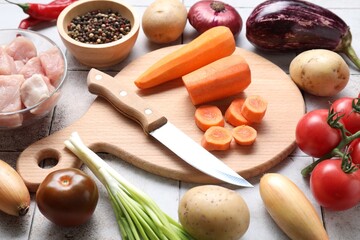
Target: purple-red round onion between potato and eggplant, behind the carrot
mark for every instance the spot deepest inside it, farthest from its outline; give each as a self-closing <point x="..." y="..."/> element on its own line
<point x="204" y="15"/>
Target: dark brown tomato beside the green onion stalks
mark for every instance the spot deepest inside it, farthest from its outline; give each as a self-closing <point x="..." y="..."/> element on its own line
<point x="67" y="197"/>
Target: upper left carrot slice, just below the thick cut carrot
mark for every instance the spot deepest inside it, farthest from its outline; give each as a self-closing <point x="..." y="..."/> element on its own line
<point x="207" y="116"/>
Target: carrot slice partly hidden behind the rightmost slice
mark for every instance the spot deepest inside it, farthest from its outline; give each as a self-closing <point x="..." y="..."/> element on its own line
<point x="233" y="114"/>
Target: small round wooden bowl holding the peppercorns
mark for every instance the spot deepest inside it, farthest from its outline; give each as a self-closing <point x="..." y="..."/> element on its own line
<point x="99" y="55"/>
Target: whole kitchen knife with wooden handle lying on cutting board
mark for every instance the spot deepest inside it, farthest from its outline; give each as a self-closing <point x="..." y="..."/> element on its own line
<point x="155" y="124"/>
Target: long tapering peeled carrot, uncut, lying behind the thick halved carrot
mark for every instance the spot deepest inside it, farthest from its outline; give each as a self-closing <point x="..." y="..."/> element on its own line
<point x="211" y="45"/>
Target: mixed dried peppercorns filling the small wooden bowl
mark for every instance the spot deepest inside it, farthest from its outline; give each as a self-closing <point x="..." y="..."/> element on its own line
<point x="98" y="27"/>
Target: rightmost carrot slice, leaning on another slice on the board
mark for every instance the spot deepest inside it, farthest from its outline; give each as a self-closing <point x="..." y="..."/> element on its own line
<point x="254" y="108"/>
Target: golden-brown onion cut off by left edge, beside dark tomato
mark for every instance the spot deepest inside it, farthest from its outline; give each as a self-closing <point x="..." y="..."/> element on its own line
<point x="15" y="197"/>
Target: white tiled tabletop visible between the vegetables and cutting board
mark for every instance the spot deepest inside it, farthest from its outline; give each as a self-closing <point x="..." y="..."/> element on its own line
<point x="76" y="101"/>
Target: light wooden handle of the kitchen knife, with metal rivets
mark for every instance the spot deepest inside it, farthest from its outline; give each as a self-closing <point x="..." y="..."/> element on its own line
<point x="124" y="100"/>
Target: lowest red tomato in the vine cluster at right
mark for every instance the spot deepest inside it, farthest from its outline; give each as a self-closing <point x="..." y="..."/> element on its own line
<point x="332" y="188"/>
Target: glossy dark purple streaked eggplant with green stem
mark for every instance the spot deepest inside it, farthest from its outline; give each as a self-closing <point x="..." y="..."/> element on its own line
<point x="278" y="25"/>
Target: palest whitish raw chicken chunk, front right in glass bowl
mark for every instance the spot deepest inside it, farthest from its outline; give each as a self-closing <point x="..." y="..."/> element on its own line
<point x="34" y="90"/>
